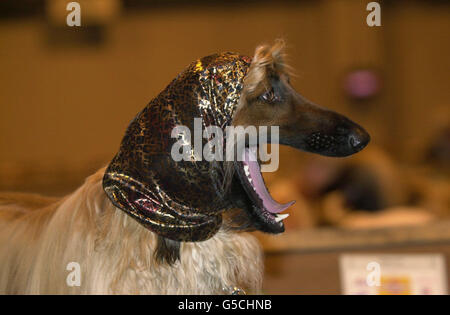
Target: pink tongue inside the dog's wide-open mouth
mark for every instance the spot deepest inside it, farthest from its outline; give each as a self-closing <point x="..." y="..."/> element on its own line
<point x="257" y="181"/>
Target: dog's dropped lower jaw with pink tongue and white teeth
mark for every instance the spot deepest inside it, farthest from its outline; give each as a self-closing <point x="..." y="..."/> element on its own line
<point x="263" y="207"/>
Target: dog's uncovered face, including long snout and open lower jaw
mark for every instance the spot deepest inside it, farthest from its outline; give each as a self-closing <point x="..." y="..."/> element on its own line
<point x="268" y="99"/>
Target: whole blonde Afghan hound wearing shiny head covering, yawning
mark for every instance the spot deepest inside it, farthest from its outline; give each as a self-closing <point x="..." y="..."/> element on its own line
<point x="147" y="224"/>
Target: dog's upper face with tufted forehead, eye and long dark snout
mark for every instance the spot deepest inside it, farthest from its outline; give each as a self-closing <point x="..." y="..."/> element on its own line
<point x="268" y="99"/>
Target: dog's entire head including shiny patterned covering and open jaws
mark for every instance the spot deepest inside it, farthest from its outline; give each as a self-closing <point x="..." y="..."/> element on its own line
<point x="185" y="200"/>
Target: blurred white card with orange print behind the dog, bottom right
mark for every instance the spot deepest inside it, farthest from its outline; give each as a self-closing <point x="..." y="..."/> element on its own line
<point x="393" y="274"/>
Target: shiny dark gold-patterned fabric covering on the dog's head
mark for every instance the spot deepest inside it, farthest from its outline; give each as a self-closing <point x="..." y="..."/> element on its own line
<point x="177" y="200"/>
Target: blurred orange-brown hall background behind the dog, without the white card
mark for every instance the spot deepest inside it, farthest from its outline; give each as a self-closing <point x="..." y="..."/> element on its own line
<point x="68" y="93"/>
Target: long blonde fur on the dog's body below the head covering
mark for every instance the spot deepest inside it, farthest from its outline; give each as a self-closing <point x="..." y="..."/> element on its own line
<point x="39" y="237"/>
